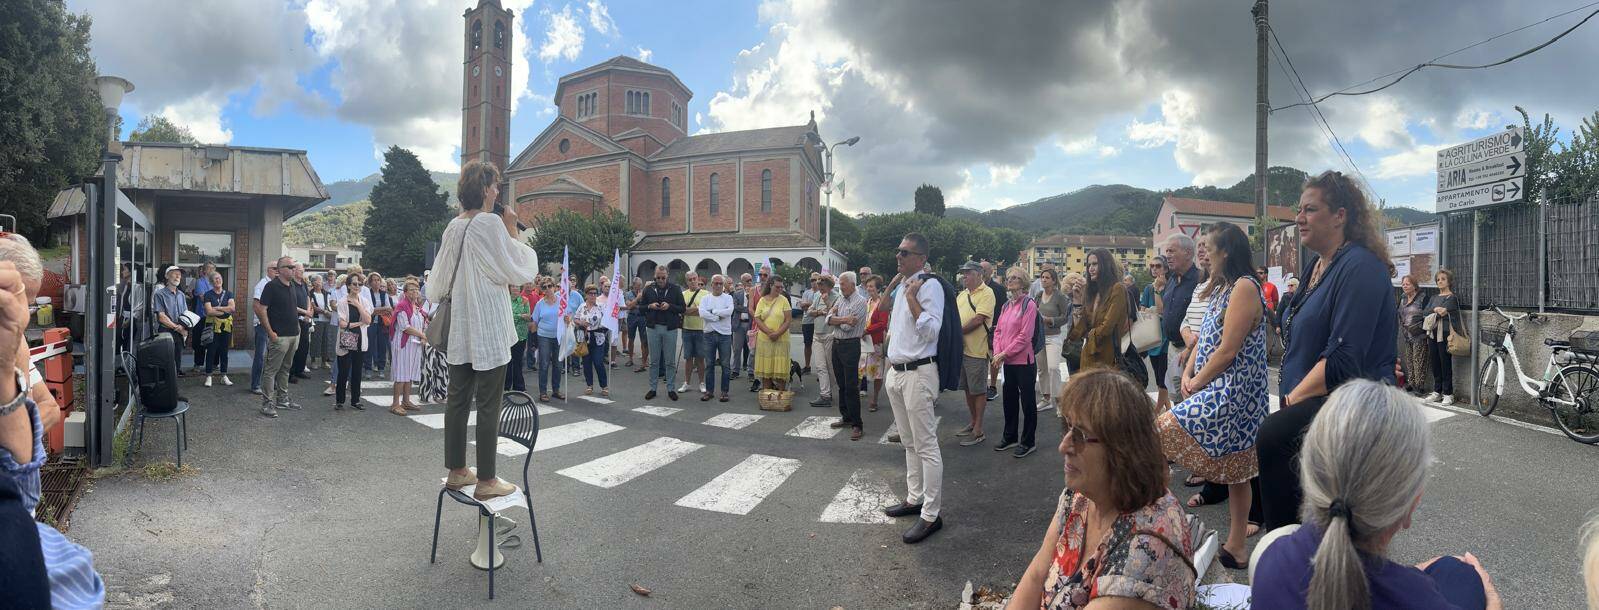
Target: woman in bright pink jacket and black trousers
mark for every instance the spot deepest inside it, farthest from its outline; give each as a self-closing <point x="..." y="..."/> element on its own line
<point x="1013" y="350"/>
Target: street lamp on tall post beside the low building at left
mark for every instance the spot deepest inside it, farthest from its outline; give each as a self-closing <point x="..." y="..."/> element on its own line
<point x="103" y="238"/>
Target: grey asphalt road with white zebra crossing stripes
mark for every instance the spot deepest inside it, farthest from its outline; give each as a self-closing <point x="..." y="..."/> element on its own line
<point x="329" y="510"/>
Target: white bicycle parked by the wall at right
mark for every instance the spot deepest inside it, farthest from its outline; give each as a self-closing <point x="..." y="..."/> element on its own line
<point x="1571" y="393"/>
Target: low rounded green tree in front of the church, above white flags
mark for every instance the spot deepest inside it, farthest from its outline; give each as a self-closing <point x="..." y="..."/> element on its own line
<point x="594" y="239"/>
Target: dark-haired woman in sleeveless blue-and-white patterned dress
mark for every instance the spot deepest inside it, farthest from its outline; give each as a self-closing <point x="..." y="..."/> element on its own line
<point x="1213" y="433"/>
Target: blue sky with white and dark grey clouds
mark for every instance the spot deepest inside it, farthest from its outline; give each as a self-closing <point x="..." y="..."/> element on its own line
<point x="995" y="103"/>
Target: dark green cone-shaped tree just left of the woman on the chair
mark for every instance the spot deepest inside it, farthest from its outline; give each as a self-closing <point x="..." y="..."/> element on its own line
<point x="409" y="212"/>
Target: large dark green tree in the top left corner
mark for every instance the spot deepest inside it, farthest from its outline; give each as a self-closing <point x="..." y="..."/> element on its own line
<point x="52" y="122"/>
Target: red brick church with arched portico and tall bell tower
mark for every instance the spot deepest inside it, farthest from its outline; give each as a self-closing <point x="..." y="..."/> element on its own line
<point x="714" y="203"/>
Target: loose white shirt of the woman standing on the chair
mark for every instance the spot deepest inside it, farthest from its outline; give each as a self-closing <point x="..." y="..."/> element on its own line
<point x="490" y="260"/>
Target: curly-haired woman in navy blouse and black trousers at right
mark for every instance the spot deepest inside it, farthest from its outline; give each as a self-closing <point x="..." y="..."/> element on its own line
<point x="1341" y="327"/>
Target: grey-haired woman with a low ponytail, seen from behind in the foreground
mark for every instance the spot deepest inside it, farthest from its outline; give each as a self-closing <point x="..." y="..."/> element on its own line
<point x="1363" y="468"/>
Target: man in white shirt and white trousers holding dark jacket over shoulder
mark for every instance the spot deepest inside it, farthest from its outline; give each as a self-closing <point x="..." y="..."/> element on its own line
<point x="914" y="387"/>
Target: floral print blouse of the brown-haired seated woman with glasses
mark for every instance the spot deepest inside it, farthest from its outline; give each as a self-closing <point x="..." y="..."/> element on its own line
<point x="1133" y="561"/>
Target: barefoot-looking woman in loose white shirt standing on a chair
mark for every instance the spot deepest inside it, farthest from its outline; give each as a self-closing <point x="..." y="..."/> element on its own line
<point x="479" y="257"/>
